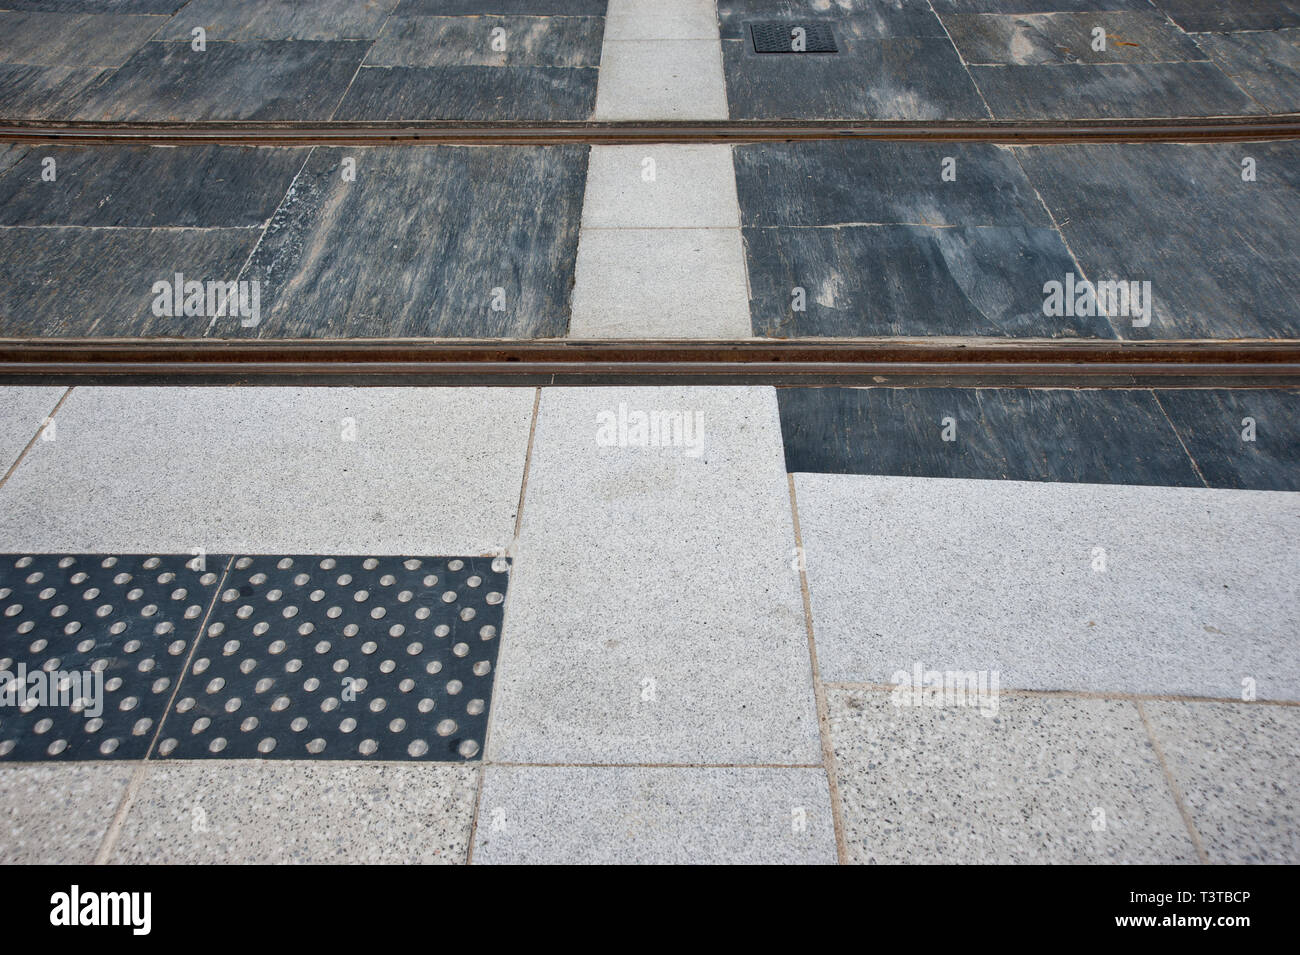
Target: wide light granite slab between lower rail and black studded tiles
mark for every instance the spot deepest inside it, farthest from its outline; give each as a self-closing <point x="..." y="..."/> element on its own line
<point x="274" y="471"/>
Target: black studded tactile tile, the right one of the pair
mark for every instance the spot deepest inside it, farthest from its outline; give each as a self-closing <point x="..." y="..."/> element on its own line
<point x="344" y="658"/>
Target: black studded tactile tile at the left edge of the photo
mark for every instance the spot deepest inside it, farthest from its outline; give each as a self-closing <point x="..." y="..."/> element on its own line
<point x="131" y="620"/>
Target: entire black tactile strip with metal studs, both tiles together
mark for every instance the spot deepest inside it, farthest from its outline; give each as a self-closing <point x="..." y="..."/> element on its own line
<point x="304" y="657"/>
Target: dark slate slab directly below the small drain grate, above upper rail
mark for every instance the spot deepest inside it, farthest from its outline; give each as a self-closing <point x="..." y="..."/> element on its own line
<point x="894" y="79"/>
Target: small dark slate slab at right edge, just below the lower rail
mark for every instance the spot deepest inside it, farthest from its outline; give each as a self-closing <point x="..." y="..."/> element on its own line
<point x="1212" y="426"/>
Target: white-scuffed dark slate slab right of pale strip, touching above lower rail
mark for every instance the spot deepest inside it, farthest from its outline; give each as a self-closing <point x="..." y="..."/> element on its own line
<point x="909" y="281"/>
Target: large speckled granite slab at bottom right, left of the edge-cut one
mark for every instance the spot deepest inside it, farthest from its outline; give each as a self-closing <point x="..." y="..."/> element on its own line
<point x="1041" y="782"/>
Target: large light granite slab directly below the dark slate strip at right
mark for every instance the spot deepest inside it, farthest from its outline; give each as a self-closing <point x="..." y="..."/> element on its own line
<point x="1198" y="588"/>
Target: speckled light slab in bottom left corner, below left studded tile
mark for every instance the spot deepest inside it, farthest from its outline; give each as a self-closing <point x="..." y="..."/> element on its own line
<point x="58" y="814"/>
